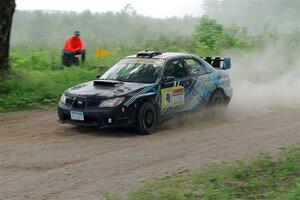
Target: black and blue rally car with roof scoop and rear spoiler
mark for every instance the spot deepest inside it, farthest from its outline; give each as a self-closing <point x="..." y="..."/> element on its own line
<point x="143" y="89"/>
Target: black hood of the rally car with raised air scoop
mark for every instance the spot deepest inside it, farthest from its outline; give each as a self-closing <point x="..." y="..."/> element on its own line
<point x="105" y="88"/>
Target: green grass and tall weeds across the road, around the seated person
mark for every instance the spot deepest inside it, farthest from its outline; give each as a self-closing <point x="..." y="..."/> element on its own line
<point x="37" y="78"/>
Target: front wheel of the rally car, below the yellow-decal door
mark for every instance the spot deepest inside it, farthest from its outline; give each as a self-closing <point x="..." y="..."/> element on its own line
<point x="146" y="121"/>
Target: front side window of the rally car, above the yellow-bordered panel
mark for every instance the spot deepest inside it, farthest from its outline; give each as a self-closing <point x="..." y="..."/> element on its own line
<point x="177" y="69"/>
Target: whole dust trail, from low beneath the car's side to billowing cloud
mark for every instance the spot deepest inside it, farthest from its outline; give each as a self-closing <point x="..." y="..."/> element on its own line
<point x="264" y="81"/>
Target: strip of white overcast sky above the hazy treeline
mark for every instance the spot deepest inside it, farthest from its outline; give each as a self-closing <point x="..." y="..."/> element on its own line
<point x="154" y="8"/>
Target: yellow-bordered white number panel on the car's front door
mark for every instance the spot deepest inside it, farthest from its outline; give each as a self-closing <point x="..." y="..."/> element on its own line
<point x="172" y="97"/>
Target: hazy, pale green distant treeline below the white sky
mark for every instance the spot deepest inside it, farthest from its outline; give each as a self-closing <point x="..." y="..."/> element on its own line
<point x="36" y="28"/>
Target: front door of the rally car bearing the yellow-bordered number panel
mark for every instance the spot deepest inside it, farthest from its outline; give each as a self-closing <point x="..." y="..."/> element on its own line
<point x="176" y="81"/>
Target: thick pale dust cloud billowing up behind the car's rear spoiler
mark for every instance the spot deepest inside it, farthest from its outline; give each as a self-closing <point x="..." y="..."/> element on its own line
<point x="265" y="80"/>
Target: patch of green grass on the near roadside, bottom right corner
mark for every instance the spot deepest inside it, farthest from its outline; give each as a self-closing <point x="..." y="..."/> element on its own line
<point x="264" y="177"/>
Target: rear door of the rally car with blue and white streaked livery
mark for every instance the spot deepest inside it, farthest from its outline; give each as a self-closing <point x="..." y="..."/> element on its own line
<point x="202" y="85"/>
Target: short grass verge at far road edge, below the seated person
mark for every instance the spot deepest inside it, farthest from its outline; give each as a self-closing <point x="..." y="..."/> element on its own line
<point x="27" y="89"/>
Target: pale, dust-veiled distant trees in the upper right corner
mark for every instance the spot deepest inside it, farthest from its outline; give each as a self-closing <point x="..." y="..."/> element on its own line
<point x="258" y="16"/>
